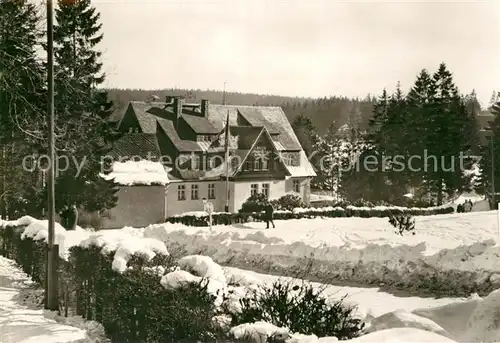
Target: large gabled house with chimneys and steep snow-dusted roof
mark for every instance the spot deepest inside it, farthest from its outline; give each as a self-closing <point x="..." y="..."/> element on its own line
<point x="265" y="155"/>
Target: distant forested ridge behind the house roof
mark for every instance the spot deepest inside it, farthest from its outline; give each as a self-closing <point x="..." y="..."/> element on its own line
<point x="322" y="112"/>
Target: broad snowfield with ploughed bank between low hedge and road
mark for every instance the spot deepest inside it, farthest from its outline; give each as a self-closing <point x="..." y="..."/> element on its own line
<point x="457" y="250"/>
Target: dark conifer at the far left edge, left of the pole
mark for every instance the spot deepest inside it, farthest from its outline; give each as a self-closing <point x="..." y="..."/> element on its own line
<point x="21" y="101"/>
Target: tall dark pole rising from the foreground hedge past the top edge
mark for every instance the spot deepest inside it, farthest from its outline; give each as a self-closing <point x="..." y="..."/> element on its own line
<point x="51" y="277"/>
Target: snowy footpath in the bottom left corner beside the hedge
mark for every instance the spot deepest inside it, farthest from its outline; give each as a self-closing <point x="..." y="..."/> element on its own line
<point x="21" y="323"/>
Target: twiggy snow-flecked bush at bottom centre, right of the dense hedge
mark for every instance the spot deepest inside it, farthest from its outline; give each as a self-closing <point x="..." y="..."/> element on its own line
<point x="299" y="308"/>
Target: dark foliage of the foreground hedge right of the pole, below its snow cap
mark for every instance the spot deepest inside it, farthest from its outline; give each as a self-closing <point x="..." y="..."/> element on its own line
<point x="134" y="306"/>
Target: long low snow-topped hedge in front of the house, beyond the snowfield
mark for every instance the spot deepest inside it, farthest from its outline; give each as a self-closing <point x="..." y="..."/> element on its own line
<point x="200" y="218"/>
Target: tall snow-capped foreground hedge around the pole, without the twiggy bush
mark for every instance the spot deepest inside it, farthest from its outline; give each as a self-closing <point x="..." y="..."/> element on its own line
<point x="117" y="279"/>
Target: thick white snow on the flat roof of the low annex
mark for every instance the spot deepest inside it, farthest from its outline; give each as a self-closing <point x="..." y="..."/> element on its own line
<point x="133" y="173"/>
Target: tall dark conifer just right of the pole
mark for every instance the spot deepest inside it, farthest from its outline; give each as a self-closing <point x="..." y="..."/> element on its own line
<point x="83" y="111"/>
